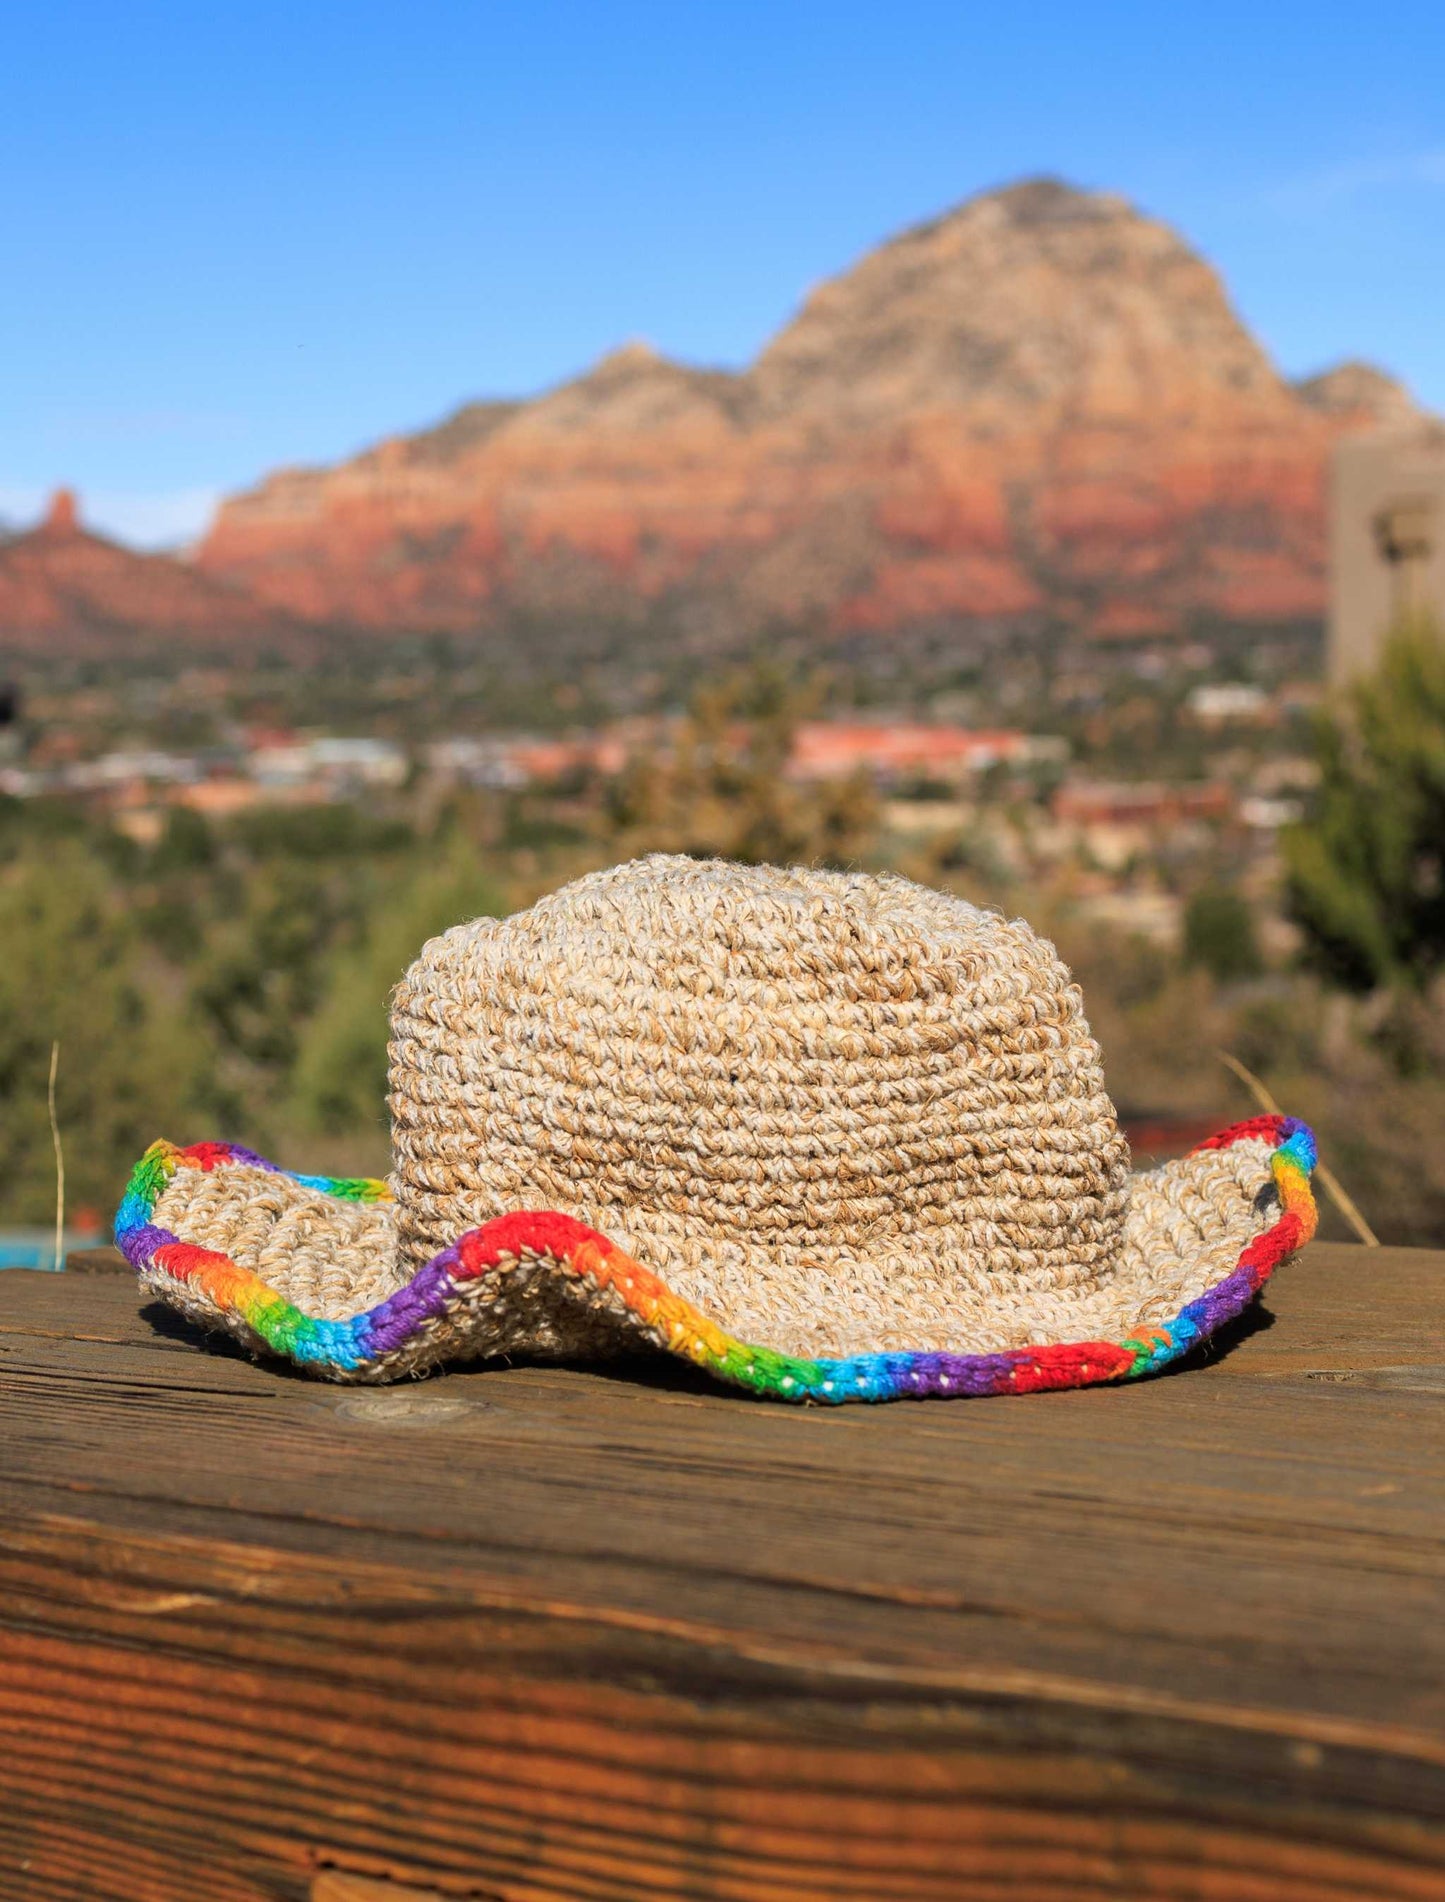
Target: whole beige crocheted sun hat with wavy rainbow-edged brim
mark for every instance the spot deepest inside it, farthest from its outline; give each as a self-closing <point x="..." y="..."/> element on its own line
<point x="830" y="1136"/>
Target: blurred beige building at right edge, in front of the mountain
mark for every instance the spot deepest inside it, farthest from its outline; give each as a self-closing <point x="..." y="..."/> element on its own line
<point x="1387" y="541"/>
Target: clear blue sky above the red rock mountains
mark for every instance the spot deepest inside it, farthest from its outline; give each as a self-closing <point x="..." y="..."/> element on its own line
<point x="254" y="235"/>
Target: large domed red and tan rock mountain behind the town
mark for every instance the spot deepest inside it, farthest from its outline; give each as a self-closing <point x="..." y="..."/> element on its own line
<point x="1039" y="406"/>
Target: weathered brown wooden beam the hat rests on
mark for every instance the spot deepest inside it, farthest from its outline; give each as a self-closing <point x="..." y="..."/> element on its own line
<point x="600" y="1637"/>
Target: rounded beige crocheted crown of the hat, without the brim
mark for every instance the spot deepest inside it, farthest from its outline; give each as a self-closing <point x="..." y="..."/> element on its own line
<point x="720" y="1062"/>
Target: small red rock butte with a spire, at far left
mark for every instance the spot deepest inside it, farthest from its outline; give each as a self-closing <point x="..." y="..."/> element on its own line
<point x="66" y="591"/>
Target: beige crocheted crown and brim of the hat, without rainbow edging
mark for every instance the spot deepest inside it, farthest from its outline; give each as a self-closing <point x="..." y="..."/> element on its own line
<point x="838" y="1114"/>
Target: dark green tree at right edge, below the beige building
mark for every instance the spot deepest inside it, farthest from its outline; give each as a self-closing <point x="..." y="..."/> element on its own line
<point x="1366" y="872"/>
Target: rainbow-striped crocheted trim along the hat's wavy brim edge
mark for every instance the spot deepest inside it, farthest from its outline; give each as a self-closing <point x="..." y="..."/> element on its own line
<point x="387" y="1340"/>
